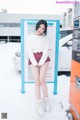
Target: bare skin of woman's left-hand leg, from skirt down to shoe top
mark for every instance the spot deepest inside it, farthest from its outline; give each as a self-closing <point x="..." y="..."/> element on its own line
<point x="36" y="74"/>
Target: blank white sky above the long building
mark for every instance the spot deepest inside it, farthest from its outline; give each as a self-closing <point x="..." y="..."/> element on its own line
<point x="35" y="6"/>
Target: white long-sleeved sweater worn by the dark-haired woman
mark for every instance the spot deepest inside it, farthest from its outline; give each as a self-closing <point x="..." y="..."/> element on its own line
<point x="36" y="43"/>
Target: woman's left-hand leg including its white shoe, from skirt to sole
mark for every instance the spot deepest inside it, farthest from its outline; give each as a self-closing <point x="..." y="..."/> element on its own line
<point x="36" y="74"/>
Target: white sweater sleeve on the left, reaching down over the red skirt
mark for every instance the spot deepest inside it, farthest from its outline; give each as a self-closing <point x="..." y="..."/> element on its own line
<point x="31" y="55"/>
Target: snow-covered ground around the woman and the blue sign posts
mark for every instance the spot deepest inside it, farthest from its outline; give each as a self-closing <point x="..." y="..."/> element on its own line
<point x="20" y="106"/>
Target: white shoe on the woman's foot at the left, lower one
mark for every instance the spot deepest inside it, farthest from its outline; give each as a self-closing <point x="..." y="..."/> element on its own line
<point x="39" y="108"/>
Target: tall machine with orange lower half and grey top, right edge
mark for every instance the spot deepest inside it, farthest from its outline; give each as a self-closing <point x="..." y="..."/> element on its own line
<point x="74" y="96"/>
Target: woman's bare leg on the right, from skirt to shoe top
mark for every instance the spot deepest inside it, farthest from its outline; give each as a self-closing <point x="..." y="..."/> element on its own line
<point x="43" y="70"/>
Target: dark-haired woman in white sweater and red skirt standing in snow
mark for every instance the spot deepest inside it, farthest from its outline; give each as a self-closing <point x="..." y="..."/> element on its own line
<point x="37" y="48"/>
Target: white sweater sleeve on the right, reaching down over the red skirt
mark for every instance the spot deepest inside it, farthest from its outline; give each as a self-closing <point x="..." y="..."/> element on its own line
<point x="45" y="55"/>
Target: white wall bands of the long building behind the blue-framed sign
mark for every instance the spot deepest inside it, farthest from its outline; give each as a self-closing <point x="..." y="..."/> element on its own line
<point x="15" y="18"/>
